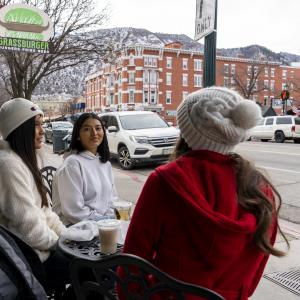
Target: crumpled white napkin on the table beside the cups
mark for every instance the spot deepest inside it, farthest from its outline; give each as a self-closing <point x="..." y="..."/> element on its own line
<point x="81" y="231"/>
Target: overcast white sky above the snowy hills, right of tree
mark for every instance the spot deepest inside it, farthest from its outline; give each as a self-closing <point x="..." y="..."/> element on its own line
<point x="274" y="24"/>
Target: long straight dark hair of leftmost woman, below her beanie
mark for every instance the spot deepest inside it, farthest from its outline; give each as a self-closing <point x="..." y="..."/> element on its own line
<point x="22" y="142"/>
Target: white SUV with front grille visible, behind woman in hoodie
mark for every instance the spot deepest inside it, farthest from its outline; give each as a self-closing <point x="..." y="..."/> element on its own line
<point x="138" y="137"/>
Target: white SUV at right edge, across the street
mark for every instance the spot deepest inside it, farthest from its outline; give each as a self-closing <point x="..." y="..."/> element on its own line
<point x="279" y="128"/>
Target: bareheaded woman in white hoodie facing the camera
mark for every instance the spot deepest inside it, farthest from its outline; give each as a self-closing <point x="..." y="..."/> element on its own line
<point x="83" y="187"/>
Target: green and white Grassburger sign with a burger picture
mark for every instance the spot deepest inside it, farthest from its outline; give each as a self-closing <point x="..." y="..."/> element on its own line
<point x="25" y="28"/>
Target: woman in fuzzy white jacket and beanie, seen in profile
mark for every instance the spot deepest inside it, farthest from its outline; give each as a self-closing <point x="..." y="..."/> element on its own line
<point x="24" y="208"/>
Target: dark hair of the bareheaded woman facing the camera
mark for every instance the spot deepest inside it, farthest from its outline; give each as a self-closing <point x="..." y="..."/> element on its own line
<point x="102" y="150"/>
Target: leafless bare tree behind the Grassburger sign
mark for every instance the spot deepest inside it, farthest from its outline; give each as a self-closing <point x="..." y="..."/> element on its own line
<point x="72" y="44"/>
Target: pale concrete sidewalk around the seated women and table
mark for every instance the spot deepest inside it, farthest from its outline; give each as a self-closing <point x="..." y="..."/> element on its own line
<point x="266" y="290"/>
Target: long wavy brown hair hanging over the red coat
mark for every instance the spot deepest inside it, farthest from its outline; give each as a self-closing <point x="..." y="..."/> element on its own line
<point x="250" y="196"/>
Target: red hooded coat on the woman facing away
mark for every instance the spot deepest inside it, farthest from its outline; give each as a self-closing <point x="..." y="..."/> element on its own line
<point x="189" y="224"/>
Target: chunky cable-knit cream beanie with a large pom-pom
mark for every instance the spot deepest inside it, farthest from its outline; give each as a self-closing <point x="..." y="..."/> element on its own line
<point x="216" y="119"/>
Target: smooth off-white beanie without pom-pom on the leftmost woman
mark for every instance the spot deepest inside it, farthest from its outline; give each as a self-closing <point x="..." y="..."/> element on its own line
<point x="15" y="112"/>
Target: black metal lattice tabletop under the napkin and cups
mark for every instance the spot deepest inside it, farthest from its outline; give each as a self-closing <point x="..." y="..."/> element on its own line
<point x="89" y="250"/>
